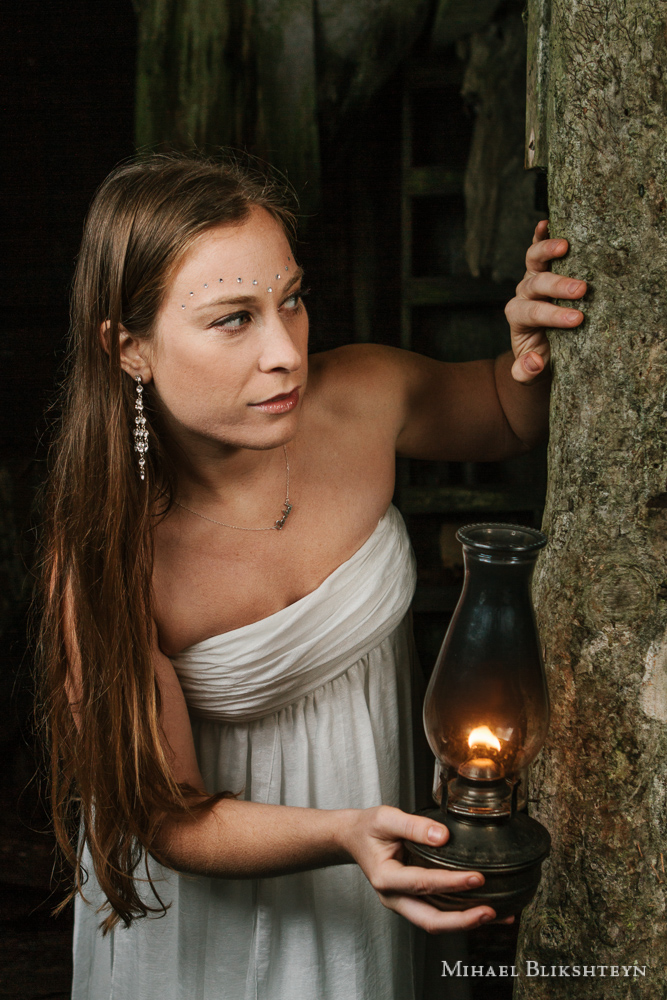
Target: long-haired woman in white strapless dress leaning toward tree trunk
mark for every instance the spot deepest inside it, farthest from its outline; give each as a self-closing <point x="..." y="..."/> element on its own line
<point x="229" y="704"/>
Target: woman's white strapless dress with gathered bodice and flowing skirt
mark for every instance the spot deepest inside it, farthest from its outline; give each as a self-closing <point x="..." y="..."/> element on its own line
<point x="308" y="707"/>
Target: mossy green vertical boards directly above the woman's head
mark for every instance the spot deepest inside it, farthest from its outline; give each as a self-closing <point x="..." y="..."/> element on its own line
<point x="214" y="74"/>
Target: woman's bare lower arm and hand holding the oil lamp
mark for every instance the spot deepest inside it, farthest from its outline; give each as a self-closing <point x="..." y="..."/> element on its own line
<point x="239" y="839"/>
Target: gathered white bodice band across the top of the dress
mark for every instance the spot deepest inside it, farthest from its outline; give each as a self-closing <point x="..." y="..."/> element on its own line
<point x="262" y="667"/>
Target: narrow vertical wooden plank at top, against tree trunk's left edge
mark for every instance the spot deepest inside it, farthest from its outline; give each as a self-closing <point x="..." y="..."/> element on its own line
<point x="537" y="84"/>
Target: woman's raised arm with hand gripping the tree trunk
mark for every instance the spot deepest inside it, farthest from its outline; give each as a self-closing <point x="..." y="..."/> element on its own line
<point x="477" y="411"/>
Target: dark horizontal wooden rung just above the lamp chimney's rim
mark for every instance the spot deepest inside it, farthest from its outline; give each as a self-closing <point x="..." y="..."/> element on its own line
<point x="455" y="499"/>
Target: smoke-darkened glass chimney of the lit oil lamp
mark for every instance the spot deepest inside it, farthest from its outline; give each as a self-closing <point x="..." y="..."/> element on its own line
<point x="488" y="698"/>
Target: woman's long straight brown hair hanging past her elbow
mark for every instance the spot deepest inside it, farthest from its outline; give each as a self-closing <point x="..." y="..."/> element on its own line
<point x="109" y="776"/>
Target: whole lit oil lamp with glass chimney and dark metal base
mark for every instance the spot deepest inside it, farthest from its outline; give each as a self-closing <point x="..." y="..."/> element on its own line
<point x="486" y="715"/>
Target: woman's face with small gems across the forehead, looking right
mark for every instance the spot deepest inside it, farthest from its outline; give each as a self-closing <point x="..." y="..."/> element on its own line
<point x="229" y="352"/>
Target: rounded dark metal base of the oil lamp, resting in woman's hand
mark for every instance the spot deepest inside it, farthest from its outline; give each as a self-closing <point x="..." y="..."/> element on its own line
<point x="507" y="850"/>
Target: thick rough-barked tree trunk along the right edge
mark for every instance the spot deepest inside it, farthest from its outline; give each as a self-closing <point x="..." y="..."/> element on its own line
<point x="600" y="587"/>
